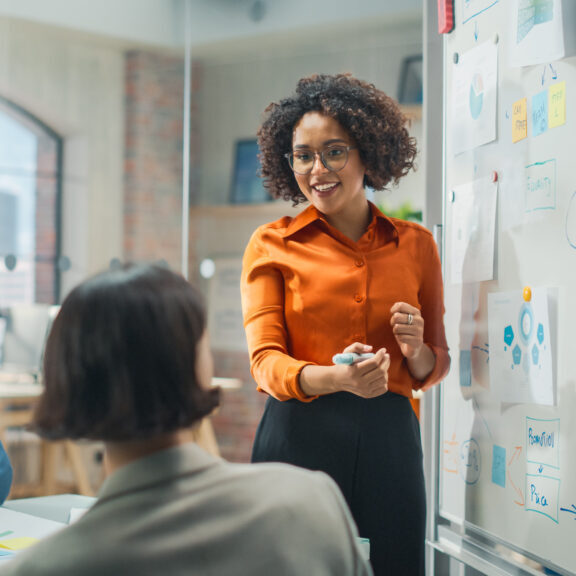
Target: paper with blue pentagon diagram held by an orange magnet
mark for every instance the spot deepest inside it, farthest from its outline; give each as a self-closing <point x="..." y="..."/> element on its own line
<point x="519" y="333"/>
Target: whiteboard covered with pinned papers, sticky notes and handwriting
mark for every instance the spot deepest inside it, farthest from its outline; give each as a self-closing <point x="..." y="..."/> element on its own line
<point x="508" y="407"/>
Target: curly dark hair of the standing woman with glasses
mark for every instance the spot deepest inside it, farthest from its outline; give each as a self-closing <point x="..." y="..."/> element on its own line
<point x="372" y="119"/>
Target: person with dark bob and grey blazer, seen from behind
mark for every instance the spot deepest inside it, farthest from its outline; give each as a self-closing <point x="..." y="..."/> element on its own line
<point x="128" y="362"/>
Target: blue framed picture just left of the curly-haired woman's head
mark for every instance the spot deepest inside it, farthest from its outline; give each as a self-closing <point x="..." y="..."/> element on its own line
<point x="247" y="185"/>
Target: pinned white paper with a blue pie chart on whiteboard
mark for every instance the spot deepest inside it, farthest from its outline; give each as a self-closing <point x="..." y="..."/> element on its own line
<point x="474" y="91"/>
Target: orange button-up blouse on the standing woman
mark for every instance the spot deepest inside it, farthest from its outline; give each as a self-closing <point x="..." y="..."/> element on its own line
<point x="308" y="291"/>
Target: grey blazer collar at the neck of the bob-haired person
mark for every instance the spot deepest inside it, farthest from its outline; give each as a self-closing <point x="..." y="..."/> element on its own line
<point x="182" y="460"/>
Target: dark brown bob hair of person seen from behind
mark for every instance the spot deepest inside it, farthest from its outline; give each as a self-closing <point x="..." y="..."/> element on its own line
<point x="120" y="360"/>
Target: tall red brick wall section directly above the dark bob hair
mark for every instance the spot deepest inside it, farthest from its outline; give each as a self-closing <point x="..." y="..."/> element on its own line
<point x="153" y="157"/>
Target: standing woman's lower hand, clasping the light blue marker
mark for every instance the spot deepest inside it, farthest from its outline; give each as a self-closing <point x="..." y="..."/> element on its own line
<point x="367" y="378"/>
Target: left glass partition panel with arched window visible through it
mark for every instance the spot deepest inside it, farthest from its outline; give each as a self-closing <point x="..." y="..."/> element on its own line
<point x="91" y="175"/>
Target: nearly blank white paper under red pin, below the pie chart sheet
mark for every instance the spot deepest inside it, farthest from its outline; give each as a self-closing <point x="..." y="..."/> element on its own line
<point x="473" y="227"/>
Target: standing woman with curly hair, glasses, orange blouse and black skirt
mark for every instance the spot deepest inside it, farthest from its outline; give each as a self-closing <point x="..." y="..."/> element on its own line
<point x="342" y="277"/>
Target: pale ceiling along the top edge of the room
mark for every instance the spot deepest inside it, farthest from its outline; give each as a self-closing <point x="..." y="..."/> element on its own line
<point x="161" y="22"/>
